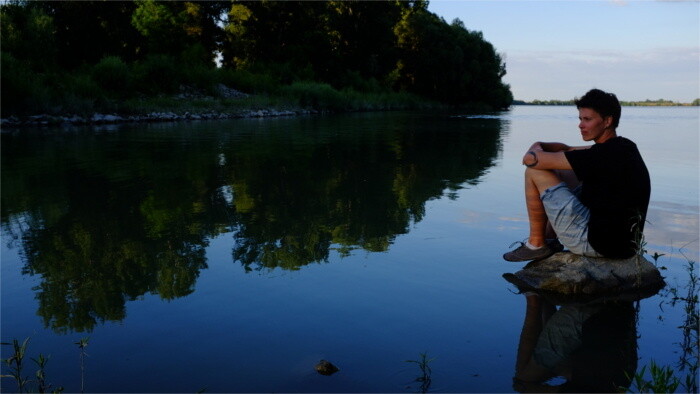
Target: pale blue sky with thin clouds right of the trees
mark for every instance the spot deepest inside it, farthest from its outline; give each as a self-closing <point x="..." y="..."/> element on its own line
<point x="559" y="49"/>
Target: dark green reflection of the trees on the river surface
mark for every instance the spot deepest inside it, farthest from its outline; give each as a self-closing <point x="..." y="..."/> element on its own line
<point x="103" y="218"/>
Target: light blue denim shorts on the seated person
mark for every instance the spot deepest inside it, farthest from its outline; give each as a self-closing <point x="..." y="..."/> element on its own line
<point x="569" y="218"/>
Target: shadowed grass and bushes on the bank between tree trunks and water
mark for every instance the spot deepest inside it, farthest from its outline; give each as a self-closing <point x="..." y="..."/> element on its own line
<point x="159" y="83"/>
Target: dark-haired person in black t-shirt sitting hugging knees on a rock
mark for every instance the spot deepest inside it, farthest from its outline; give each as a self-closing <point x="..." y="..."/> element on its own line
<point x="604" y="215"/>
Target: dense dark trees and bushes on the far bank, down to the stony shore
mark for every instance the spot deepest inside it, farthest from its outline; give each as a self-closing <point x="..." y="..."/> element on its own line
<point x="82" y="56"/>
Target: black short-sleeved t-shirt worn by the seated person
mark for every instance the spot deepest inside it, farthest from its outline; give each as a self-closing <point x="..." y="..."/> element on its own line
<point x="616" y="189"/>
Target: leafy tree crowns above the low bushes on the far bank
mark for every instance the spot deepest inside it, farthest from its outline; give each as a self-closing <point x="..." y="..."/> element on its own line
<point x="360" y="45"/>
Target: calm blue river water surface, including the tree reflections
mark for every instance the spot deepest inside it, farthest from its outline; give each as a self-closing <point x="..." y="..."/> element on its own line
<point x="234" y="255"/>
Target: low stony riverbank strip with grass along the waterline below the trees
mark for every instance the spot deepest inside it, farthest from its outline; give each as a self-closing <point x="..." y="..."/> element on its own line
<point x="192" y="104"/>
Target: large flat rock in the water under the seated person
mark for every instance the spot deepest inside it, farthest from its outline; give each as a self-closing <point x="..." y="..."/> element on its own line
<point x="567" y="277"/>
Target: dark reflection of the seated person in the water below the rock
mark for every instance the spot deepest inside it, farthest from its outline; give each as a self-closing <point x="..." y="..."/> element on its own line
<point x="592" y="346"/>
